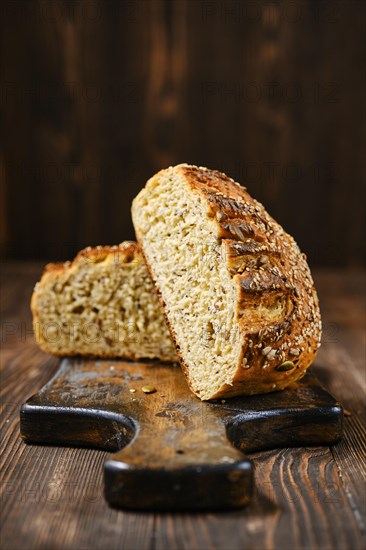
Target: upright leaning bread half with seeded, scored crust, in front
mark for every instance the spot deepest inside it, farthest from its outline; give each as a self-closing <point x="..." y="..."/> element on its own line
<point x="236" y="290"/>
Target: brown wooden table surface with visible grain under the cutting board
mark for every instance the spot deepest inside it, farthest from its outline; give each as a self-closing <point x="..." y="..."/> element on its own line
<point x="305" y="497"/>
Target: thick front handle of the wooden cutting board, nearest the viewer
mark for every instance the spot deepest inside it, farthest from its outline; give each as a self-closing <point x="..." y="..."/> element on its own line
<point x="165" y="467"/>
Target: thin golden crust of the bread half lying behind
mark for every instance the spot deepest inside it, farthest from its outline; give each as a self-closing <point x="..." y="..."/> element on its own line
<point x="123" y="253"/>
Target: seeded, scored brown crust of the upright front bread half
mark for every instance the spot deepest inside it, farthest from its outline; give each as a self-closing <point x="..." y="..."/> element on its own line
<point x="267" y="267"/>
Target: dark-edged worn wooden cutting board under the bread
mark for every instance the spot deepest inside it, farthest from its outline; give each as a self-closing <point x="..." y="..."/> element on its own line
<point x="173" y="451"/>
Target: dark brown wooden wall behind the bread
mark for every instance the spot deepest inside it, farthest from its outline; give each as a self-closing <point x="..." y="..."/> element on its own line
<point x="98" y="95"/>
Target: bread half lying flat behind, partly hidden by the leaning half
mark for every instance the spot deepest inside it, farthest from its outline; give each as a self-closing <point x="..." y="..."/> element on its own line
<point x="101" y="304"/>
